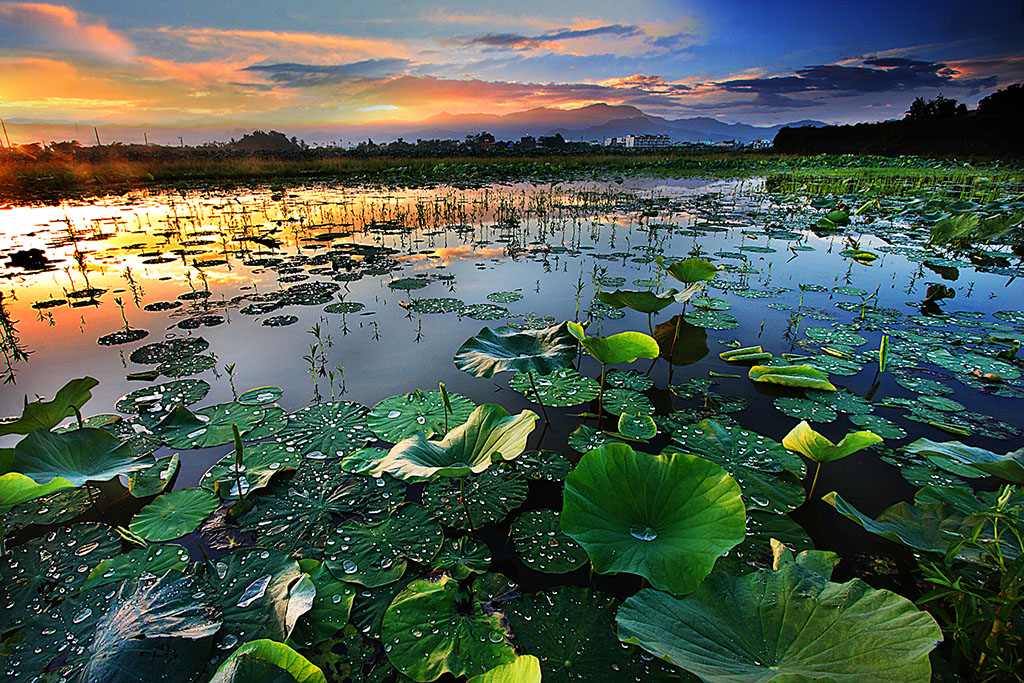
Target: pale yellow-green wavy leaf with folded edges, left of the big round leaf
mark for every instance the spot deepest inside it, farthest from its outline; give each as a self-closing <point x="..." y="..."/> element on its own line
<point x="490" y="435"/>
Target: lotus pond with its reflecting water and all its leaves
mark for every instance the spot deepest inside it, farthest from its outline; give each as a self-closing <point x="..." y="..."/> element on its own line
<point x="610" y="481"/>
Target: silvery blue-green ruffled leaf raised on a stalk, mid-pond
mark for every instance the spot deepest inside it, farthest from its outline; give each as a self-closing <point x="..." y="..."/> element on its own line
<point x="539" y="352"/>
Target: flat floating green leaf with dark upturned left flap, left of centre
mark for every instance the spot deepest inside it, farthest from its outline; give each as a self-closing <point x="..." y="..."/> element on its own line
<point x="208" y="426"/>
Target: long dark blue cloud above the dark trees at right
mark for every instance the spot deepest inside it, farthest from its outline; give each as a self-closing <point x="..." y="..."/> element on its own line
<point x="874" y="76"/>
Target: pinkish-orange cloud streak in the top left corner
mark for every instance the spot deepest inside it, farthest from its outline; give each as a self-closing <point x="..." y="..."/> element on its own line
<point x="62" y="28"/>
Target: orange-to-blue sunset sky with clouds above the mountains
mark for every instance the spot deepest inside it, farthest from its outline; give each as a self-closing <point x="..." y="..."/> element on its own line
<point x="209" y="63"/>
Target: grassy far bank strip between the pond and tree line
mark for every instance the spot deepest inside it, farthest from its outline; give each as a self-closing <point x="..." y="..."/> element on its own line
<point x="50" y="178"/>
